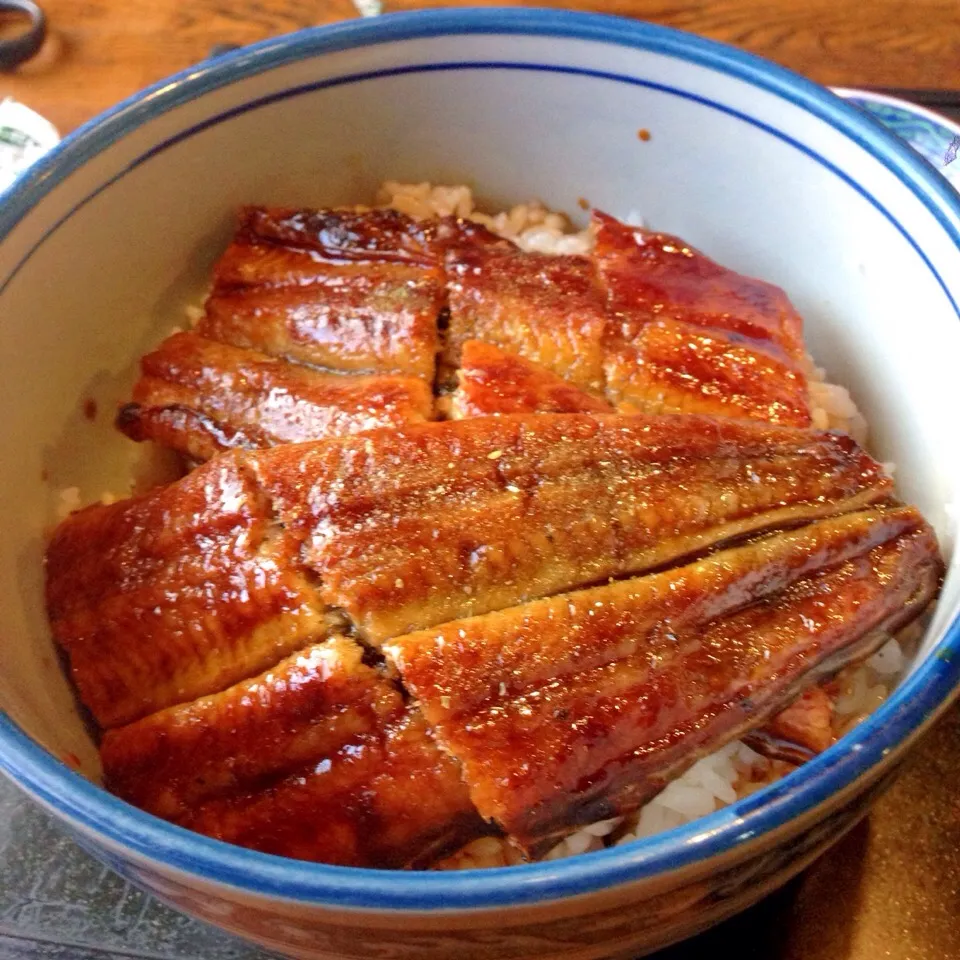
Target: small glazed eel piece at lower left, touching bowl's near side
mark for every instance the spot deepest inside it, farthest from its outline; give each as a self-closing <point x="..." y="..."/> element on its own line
<point x="318" y="758"/>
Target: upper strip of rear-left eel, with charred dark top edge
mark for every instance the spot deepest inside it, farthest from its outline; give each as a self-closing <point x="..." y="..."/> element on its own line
<point x="356" y="292"/>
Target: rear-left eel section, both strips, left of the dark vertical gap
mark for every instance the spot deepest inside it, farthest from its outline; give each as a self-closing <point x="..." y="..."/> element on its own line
<point x="320" y="323"/>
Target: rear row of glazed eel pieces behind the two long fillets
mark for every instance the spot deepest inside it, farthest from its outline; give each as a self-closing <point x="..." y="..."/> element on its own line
<point x="646" y="324"/>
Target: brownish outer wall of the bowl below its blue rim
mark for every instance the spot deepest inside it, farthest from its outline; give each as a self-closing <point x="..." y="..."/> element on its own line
<point x="628" y="921"/>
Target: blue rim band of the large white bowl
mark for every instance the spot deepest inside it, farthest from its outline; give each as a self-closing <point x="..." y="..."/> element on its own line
<point x="116" y="826"/>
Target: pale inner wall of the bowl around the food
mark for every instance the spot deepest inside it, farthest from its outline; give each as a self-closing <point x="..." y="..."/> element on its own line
<point x="108" y="242"/>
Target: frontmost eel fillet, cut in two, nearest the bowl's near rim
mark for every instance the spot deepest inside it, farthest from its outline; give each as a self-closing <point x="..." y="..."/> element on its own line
<point x="553" y="714"/>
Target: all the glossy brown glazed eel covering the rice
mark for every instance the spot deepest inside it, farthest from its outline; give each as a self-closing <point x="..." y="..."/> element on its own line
<point x="372" y="646"/>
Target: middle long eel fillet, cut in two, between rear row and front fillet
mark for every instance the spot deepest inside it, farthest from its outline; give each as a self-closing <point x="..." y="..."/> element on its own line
<point x="182" y="591"/>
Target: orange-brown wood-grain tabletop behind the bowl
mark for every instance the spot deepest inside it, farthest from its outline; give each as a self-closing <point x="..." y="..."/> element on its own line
<point x="101" y="51"/>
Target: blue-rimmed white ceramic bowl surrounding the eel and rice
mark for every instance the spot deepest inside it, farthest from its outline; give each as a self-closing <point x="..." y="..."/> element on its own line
<point x="107" y="238"/>
